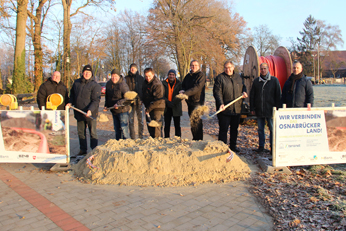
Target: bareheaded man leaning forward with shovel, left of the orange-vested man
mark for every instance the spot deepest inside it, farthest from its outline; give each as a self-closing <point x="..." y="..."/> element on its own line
<point x="154" y="102"/>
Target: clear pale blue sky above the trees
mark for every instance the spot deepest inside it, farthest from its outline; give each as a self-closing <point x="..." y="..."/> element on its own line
<point x="284" y="18"/>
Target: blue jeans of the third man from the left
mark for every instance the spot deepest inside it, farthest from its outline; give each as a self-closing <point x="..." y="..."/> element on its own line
<point x="121" y="125"/>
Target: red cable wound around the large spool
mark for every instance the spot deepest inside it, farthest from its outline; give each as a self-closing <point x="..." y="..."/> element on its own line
<point x="277" y="67"/>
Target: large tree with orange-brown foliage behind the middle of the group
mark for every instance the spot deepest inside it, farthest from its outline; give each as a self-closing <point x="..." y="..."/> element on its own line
<point x="194" y="29"/>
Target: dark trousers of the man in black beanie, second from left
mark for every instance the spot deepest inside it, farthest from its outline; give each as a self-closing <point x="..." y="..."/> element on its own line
<point x="81" y="128"/>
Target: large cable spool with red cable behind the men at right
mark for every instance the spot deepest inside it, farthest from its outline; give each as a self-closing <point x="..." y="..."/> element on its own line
<point x="280" y="65"/>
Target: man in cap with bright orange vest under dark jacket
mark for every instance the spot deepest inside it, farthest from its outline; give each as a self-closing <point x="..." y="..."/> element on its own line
<point x="173" y="105"/>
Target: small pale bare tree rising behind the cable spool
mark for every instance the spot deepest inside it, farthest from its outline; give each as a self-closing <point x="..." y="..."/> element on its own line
<point x="265" y="41"/>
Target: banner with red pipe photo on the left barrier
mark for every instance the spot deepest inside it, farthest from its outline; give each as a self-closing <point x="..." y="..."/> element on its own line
<point x="28" y="136"/>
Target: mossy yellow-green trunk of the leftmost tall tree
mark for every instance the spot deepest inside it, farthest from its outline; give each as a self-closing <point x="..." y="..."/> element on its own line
<point x="19" y="54"/>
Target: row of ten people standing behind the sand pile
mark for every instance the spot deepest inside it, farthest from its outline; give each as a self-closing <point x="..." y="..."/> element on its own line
<point x="159" y="102"/>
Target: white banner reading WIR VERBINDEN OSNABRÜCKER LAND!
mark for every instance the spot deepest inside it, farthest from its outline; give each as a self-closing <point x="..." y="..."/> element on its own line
<point x="311" y="137"/>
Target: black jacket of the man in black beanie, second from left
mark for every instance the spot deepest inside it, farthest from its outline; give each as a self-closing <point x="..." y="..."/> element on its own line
<point x="85" y="95"/>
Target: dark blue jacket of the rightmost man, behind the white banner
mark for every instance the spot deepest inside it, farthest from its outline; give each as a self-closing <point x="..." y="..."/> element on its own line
<point x="302" y="93"/>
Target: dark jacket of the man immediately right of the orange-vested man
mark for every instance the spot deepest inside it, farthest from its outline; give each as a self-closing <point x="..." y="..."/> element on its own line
<point x="194" y="87"/>
